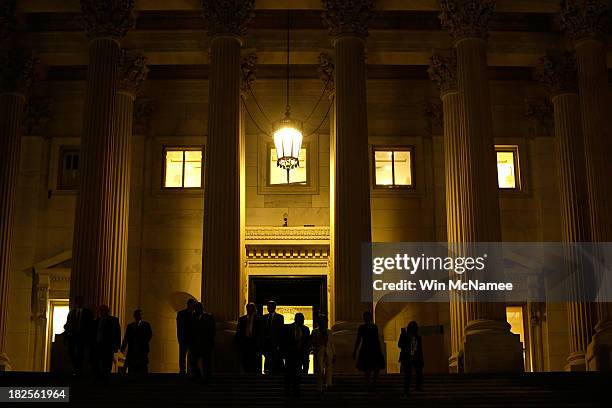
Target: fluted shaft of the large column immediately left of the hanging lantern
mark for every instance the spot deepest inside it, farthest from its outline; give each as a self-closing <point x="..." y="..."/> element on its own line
<point x="221" y="248"/>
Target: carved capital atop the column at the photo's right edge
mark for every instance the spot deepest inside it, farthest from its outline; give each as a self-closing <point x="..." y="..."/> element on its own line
<point x="582" y="19"/>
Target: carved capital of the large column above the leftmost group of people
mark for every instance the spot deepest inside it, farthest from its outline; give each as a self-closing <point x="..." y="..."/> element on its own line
<point x="107" y="18"/>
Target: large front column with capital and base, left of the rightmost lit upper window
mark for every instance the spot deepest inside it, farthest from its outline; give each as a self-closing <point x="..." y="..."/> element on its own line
<point x="488" y="346"/>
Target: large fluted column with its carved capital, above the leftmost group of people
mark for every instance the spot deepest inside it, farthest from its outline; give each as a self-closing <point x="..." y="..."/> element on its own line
<point x="95" y="244"/>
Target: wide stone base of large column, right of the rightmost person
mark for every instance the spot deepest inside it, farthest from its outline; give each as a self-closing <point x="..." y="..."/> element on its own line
<point x="490" y="348"/>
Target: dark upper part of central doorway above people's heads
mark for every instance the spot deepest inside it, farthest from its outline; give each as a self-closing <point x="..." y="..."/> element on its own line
<point x="289" y="291"/>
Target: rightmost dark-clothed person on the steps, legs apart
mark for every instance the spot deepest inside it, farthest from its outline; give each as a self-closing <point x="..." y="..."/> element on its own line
<point x="411" y="356"/>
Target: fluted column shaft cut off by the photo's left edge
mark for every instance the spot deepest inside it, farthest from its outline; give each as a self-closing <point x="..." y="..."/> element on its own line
<point x="11" y="108"/>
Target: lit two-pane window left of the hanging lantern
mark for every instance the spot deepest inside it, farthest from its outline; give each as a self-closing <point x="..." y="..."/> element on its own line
<point x="183" y="168"/>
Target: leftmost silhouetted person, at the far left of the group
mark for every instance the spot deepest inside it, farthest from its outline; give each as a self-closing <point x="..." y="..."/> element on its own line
<point x="77" y="331"/>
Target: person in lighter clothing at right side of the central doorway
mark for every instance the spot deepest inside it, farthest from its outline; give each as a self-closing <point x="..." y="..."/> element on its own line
<point x="324" y="353"/>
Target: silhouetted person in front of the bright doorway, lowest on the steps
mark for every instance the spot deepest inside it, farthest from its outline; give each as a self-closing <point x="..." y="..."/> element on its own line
<point x="296" y="349"/>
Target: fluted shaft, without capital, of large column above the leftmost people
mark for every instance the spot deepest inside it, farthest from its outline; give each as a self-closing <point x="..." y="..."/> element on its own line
<point x="94" y="235"/>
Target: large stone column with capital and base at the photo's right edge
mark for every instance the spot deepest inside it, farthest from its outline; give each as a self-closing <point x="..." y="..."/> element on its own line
<point x="586" y="23"/>
